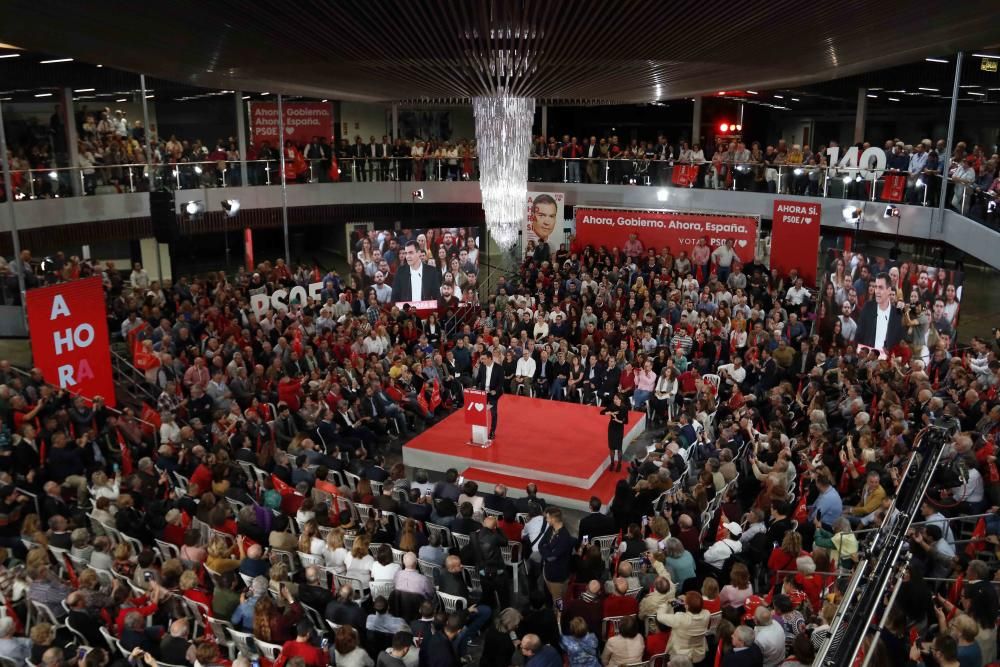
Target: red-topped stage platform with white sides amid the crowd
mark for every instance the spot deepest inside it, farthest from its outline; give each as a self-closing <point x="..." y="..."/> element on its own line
<point x="562" y="447"/>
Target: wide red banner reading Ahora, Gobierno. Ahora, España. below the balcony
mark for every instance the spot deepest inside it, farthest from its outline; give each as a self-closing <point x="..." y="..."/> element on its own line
<point x="678" y="231"/>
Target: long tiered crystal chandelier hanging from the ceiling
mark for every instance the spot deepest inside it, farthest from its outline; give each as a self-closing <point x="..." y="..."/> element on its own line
<point x="503" y="136"/>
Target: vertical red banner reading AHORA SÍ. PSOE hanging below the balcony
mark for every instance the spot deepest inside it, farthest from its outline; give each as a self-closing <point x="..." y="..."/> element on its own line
<point x="795" y="238"/>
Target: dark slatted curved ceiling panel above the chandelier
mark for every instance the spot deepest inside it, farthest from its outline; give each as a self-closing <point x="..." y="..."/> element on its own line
<point x="601" y="51"/>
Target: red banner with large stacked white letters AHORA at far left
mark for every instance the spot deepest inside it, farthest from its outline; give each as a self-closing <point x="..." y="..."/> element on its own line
<point x="69" y="337"/>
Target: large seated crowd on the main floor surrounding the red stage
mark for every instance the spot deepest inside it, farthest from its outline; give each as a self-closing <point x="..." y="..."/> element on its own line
<point x="255" y="507"/>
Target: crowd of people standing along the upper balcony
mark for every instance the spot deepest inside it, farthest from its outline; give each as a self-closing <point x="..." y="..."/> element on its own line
<point x="109" y="142"/>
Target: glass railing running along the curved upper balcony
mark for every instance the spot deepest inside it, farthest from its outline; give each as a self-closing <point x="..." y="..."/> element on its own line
<point x="852" y="183"/>
